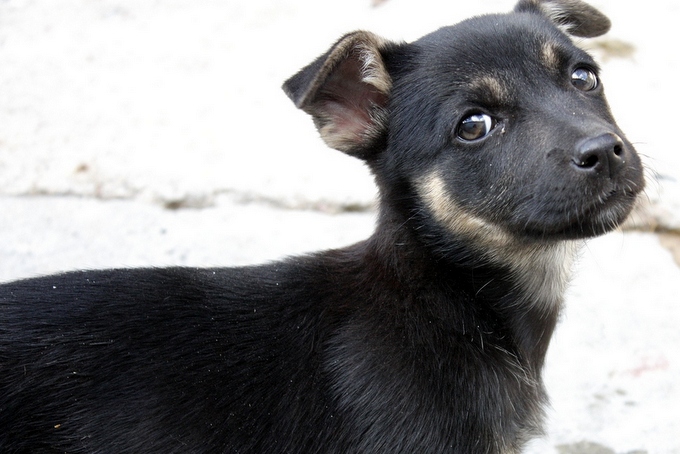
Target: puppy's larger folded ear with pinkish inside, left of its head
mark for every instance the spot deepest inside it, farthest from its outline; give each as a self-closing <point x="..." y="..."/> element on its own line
<point x="346" y="92"/>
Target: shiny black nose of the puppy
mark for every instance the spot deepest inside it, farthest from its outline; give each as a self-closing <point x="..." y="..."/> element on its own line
<point x="603" y="154"/>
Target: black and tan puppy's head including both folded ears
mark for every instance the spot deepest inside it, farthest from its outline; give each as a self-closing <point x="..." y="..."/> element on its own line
<point x="496" y="130"/>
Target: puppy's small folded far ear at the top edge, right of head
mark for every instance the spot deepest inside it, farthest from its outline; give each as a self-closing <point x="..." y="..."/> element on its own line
<point x="575" y="17"/>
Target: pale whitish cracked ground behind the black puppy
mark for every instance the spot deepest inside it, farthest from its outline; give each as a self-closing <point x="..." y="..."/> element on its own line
<point x="146" y="132"/>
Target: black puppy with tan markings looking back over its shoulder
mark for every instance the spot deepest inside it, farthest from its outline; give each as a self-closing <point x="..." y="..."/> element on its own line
<point x="495" y="153"/>
